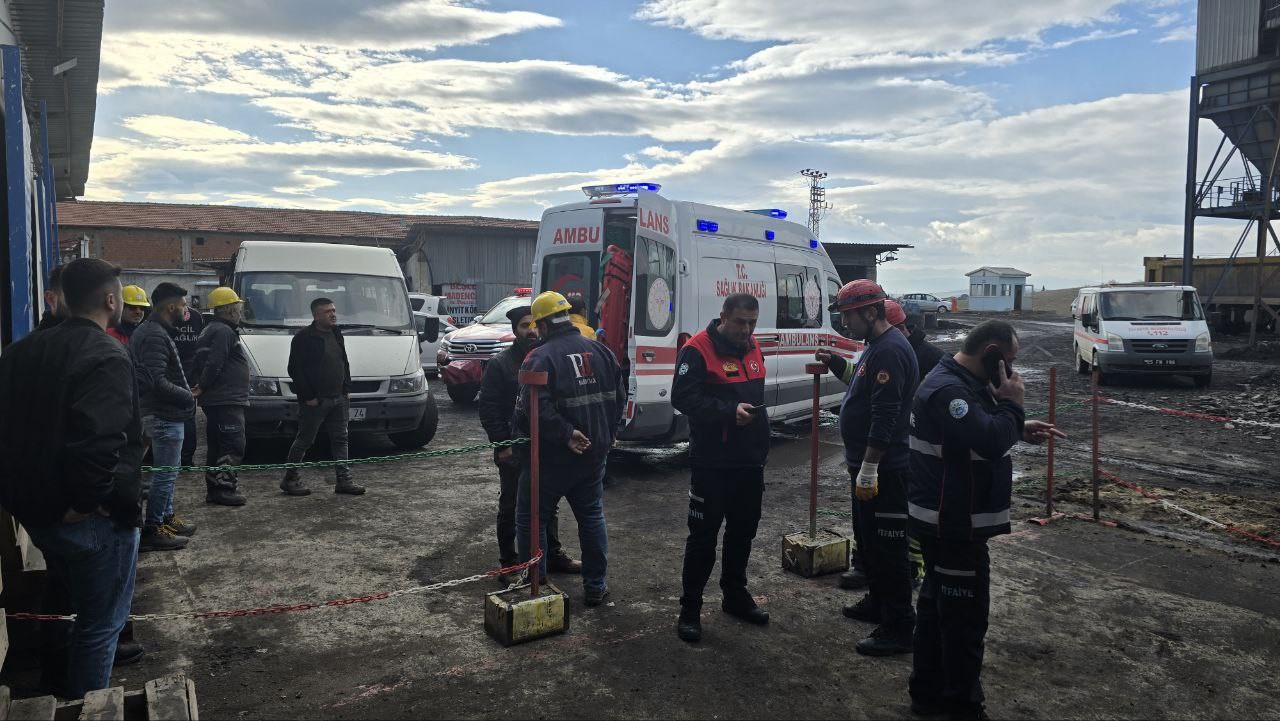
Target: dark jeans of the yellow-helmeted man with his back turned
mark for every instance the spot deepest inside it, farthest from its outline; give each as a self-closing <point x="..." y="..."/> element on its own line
<point x="584" y="490"/>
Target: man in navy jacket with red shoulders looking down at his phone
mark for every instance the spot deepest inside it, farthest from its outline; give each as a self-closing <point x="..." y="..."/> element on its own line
<point x="720" y="387"/>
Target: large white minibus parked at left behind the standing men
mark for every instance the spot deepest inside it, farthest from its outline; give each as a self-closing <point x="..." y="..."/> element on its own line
<point x="388" y="390"/>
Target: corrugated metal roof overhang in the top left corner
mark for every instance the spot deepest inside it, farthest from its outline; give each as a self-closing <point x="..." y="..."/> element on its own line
<point x="53" y="33"/>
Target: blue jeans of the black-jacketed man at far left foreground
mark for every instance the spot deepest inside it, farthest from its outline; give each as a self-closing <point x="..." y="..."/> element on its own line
<point x="98" y="560"/>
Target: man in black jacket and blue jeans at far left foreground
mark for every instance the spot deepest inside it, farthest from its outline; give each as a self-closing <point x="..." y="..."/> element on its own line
<point x="71" y="433"/>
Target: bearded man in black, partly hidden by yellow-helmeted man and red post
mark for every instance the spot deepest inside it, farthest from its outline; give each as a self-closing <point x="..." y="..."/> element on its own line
<point x="499" y="393"/>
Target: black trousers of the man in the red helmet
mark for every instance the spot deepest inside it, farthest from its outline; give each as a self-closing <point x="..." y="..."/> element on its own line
<point x="883" y="544"/>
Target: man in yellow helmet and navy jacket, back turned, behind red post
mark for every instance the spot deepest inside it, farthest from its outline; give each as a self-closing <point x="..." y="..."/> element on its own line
<point x="579" y="412"/>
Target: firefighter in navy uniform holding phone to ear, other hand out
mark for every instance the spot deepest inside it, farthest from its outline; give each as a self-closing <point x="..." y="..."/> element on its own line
<point x="967" y="417"/>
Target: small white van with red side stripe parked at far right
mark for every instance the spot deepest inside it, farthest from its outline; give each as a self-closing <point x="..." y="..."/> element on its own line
<point x="1144" y="328"/>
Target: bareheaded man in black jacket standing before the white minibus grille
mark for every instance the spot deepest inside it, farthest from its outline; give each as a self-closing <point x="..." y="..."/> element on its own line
<point x="322" y="381"/>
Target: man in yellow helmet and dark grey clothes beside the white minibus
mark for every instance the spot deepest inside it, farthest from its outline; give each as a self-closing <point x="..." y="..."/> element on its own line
<point x="222" y="381"/>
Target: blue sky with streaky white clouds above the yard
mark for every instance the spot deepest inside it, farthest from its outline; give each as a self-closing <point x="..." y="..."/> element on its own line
<point x="1045" y="136"/>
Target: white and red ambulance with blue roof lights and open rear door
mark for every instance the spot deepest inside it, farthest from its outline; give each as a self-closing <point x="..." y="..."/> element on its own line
<point x="653" y="272"/>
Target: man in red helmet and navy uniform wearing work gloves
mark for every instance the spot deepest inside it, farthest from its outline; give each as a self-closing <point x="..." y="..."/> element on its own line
<point x="875" y="425"/>
